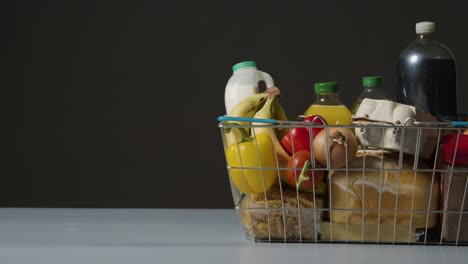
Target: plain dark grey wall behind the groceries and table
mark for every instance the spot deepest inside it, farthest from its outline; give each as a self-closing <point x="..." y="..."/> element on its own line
<point x="115" y="104"/>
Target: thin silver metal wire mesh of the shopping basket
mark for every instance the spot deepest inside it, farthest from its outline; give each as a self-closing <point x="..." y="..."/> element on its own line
<point x="415" y="235"/>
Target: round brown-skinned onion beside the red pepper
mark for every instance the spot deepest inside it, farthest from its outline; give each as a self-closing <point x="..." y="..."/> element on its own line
<point x="339" y="140"/>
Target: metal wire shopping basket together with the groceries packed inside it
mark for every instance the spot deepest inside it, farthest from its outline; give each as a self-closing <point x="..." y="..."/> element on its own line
<point x="406" y="184"/>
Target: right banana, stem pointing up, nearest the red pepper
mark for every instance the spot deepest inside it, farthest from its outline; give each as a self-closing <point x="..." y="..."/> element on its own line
<point x="267" y="111"/>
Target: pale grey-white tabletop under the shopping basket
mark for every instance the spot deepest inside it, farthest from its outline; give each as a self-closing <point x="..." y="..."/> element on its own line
<point x="175" y="236"/>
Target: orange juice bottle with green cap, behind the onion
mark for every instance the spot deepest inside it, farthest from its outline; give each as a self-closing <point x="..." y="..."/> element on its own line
<point x="328" y="105"/>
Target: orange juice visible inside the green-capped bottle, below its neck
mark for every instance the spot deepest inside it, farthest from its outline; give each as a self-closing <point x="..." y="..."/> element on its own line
<point x="333" y="114"/>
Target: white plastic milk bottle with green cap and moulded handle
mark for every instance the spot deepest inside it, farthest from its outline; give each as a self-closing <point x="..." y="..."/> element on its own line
<point x="243" y="83"/>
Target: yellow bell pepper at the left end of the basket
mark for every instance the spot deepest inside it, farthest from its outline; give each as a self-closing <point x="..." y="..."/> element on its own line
<point x="246" y="154"/>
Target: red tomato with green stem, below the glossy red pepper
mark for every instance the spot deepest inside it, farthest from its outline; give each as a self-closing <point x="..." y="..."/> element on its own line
<point x="300" y="176"/>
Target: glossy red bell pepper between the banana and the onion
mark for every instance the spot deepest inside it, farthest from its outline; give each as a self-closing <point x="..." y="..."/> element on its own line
<point x="298" y="138"/>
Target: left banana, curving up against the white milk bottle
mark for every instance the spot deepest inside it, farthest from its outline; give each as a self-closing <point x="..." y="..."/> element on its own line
<point x="245" y="108"/>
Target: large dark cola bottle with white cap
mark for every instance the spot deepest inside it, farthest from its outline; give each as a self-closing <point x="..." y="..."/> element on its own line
<point x="427" y="75"/>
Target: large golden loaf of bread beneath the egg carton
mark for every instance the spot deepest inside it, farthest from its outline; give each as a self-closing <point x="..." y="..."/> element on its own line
<point x="381" y="190"/>
